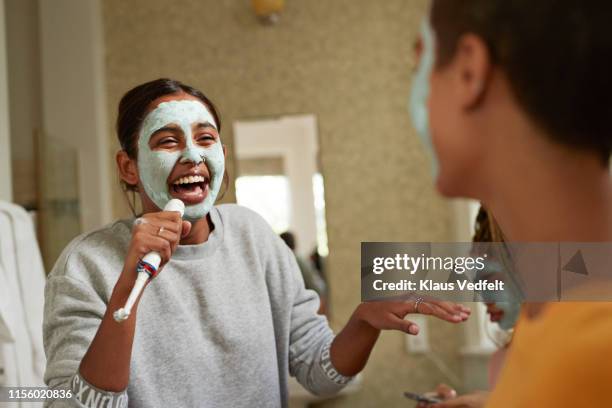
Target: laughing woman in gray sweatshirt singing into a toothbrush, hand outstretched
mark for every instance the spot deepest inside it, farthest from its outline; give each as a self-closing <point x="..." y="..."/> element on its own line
<point x="228" y="318"/>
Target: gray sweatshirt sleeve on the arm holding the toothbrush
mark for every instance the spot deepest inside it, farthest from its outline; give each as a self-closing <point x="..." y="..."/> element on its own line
<point x="73" y="312"/>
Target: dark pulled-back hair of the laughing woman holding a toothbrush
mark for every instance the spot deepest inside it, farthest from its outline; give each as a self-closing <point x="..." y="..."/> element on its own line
<point x="134" y="106"/>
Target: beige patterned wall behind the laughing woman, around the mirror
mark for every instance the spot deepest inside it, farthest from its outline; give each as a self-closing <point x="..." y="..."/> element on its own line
<point x="347" y="61"/>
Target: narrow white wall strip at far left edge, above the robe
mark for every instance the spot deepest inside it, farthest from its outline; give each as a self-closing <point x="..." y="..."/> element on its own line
<point x="6" y="185"/>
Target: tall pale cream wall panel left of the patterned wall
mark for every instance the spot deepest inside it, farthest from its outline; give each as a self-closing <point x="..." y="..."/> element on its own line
<point x="73" y="96"/>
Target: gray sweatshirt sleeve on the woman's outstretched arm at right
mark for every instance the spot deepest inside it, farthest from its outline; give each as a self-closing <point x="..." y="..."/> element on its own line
<point x="310" y="340"/>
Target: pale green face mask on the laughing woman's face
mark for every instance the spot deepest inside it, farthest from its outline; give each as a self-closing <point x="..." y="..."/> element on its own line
<point x="155" y="167"/>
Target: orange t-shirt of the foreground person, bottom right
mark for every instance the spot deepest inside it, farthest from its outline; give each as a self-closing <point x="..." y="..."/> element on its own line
<point x="562" y="358"/>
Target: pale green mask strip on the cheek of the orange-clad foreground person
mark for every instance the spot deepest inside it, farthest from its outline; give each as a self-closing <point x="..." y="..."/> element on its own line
<point x="420" y="90"/>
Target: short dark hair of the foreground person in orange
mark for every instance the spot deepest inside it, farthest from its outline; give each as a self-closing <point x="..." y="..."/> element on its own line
<point x="557" y="55"/>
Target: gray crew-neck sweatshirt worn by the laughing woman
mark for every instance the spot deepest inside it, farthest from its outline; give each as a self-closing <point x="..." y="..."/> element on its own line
<point x="222" y="325"/>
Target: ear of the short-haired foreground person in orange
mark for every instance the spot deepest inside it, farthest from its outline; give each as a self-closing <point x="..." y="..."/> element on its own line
<point x="473" y="67"/>
